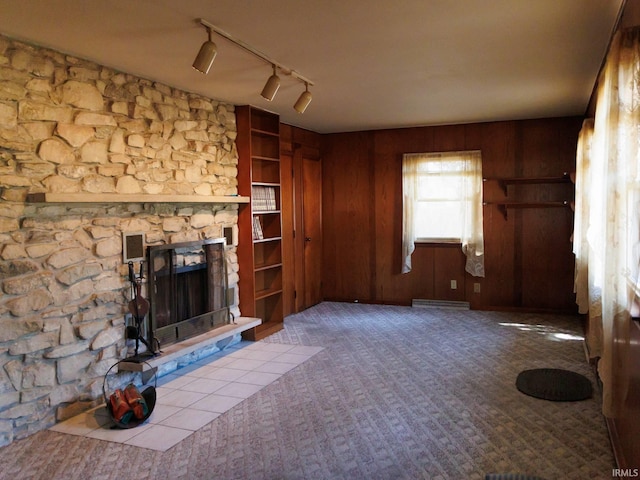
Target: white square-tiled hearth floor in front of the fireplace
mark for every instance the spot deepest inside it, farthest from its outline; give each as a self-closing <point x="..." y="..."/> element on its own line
<point x="193" y="396"/>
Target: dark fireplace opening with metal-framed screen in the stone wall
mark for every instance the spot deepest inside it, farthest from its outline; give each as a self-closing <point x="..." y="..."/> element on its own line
<point x="187" y="289"/>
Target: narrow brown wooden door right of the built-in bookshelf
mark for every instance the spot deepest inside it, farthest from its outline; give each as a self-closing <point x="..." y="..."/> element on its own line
<point x="312" y="231"/>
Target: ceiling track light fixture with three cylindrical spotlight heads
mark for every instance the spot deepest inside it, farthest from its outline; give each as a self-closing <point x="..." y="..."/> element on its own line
<point x="208" y="52"/>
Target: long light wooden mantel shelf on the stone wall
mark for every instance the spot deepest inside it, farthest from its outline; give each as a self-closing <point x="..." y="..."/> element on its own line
<point x="131" y="198"/>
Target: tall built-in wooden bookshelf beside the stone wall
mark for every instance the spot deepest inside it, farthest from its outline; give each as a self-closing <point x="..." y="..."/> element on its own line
<point x="260" y="222"/>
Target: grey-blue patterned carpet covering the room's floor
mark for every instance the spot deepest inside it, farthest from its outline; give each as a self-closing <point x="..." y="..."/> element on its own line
<point x="397" y="393"/>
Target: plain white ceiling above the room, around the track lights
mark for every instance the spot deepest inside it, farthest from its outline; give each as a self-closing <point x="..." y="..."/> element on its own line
<point x="375" y="63"/>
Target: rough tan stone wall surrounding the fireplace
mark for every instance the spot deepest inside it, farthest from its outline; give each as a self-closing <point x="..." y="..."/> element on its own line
<point x="69" y="126"/>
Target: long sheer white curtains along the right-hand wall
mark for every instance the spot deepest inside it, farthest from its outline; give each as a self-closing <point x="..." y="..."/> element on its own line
<point x="607" y="237"/>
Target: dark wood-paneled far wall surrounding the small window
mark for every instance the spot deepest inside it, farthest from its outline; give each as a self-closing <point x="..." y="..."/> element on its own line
<point x="529" y="262"/>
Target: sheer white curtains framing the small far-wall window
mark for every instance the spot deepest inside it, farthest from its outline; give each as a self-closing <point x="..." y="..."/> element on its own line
<point x="472" y="237"/>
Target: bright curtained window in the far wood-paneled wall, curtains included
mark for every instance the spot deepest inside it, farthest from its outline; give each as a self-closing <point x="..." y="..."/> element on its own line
<point x="443" y="203"/>
